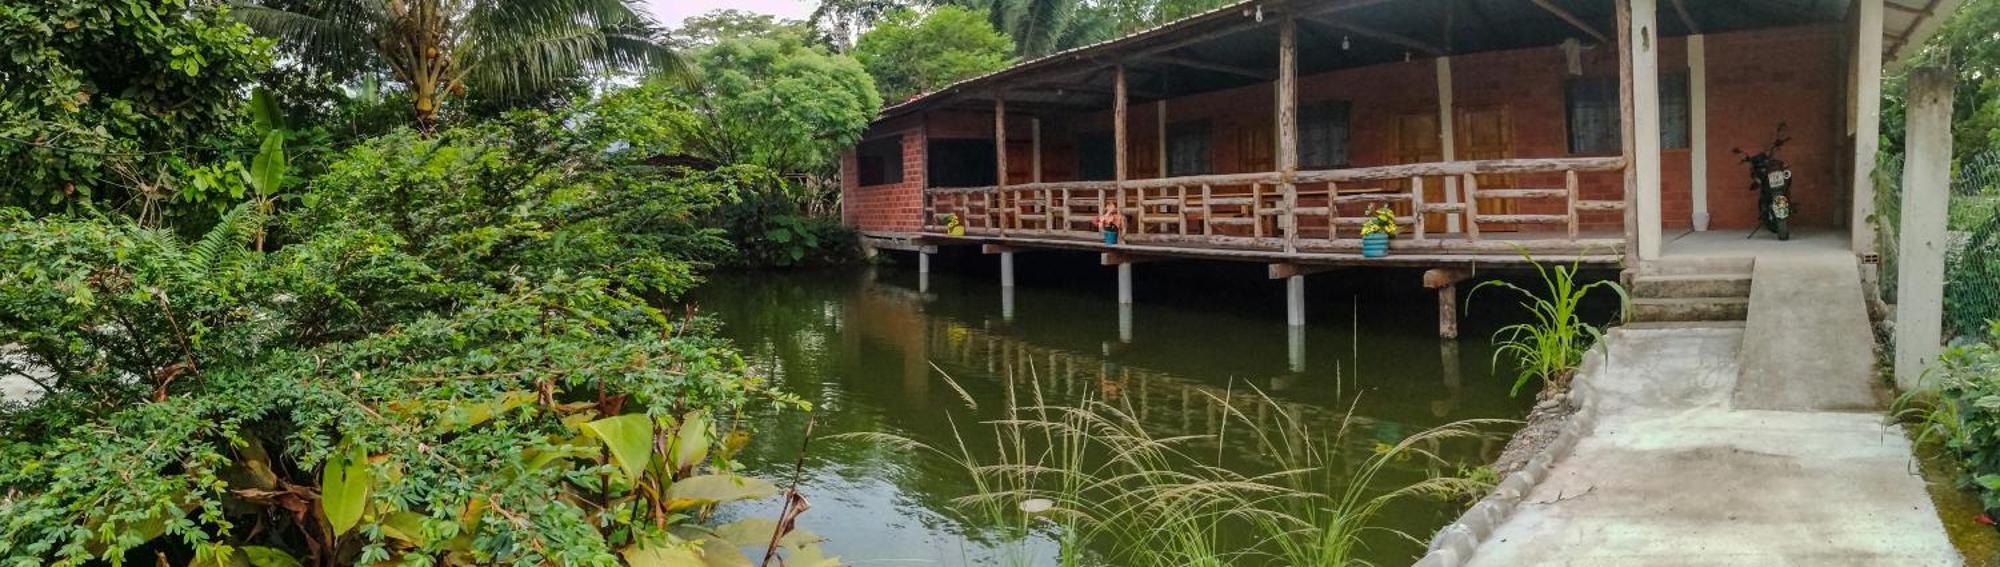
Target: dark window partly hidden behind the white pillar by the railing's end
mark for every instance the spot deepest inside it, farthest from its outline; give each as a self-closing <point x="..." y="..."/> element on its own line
<point x="1593" y="113"/>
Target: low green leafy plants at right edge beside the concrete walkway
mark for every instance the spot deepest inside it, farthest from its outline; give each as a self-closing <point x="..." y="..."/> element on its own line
<point x="1961" y="410"/>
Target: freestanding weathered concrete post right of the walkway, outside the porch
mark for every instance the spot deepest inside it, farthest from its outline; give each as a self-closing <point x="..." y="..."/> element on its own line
<point x="1927" y="179"/>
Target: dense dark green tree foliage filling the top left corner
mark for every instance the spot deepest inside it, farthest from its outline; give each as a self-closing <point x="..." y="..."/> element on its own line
<point x="105" y="97"/>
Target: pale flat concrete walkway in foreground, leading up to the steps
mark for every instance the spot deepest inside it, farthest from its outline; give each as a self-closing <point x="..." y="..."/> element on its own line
<point x="1677" y="472"/>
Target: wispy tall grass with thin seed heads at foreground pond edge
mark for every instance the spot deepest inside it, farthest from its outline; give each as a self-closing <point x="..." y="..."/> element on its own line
<point x="1111" y="492"/>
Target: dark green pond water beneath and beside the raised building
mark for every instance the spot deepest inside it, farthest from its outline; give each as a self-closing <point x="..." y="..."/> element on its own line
<point x="871" y="350"/>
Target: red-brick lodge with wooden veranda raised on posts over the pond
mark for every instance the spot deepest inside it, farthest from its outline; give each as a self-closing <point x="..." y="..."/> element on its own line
<point x="1591" y="131"/>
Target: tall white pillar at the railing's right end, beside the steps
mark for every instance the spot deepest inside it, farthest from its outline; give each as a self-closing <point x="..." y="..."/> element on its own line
<point x="1647" y="123"/>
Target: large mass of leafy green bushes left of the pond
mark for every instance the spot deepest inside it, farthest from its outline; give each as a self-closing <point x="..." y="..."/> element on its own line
<point x="449" y="360"/>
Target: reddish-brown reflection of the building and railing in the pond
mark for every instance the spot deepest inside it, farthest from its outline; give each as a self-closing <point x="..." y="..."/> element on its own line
<point x="1167" y="404"/>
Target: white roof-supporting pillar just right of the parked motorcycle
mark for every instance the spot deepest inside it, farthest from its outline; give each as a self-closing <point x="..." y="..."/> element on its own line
<point x="1867" y="123"/>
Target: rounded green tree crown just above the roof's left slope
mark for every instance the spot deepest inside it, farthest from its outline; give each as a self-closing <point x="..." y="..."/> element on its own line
<point x="913" y="55"/>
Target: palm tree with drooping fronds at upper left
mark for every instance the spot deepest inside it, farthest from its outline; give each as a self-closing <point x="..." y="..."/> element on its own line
<point x="443" y="49"/>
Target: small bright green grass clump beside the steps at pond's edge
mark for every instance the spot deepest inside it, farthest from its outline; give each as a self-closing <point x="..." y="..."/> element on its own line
<point x="1555" y="342"/>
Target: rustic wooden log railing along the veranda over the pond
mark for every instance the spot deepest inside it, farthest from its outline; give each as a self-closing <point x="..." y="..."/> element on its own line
<point x="1313" y="211"/>
